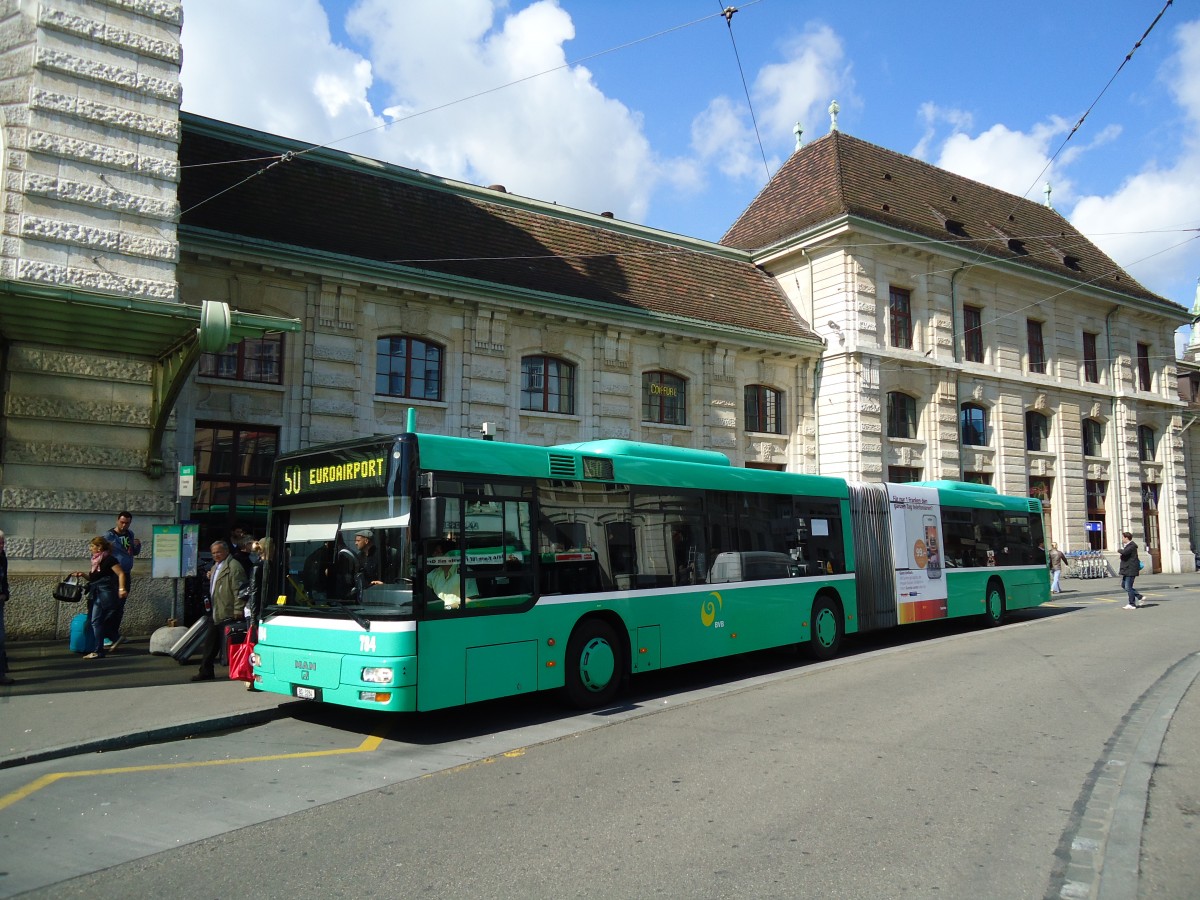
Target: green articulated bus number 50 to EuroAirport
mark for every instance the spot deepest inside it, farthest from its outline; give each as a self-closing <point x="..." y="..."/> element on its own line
<point x="421" y="572"/>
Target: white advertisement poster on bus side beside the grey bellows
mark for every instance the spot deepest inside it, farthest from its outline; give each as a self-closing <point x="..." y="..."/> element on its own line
<point x="917" y="550"/>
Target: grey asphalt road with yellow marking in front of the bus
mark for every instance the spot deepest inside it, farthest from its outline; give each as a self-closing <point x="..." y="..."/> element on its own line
<point x="963" y="765"/>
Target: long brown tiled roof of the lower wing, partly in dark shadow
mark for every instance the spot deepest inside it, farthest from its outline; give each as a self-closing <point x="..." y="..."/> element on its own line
<point x="341" y="205"/>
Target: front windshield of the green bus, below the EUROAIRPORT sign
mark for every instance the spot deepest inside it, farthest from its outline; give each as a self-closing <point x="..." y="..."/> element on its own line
<point x="353" y="555"/>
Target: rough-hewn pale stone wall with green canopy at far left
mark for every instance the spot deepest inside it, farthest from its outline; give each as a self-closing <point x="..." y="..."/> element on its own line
<point x="94" y="340"/>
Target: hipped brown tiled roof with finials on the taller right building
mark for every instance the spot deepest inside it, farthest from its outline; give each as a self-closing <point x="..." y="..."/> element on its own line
<point x="839" y="176"/>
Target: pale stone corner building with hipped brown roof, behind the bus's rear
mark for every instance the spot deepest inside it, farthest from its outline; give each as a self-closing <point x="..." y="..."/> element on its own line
<point x="974" y="335"/>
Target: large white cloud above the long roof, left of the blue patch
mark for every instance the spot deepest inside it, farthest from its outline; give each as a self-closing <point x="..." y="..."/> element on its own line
<point x="551" y="134"/>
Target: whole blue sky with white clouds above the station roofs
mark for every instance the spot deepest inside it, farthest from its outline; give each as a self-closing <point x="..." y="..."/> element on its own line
<point x="638" y="107"/>
